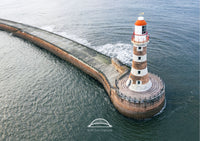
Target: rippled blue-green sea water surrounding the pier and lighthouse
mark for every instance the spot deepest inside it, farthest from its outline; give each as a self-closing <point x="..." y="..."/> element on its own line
<point x="43" y="97"/>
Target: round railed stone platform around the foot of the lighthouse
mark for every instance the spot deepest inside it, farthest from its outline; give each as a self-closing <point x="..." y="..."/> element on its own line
<point x="140" y="105"/>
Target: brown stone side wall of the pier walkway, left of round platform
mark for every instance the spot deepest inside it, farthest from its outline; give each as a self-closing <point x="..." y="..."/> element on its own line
<point x="60" y="53"/>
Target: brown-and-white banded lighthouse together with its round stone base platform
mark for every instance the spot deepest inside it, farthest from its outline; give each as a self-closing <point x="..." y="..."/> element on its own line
<point x="140" y="94"/>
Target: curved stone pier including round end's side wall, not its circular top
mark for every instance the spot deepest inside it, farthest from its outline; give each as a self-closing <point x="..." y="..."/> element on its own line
<point x="95" y="64"/>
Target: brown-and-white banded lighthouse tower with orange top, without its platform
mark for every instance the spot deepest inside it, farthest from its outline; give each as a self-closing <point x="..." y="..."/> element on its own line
<point x="139" y="78"/>
